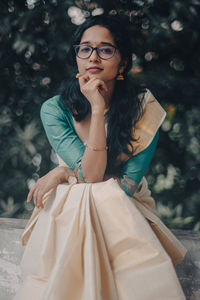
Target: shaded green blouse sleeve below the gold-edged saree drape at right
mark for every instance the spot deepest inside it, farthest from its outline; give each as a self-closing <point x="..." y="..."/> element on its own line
<point x="136" y="167"/>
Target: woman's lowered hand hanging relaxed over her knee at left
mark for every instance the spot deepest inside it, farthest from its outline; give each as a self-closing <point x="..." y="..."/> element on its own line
<point x="46" y="183"/>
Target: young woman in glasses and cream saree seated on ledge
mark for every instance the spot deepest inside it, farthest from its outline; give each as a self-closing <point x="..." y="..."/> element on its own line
<point x="93" y="234"/>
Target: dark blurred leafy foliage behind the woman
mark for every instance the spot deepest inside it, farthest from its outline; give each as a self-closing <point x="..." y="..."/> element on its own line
<point x="35" y="37"/>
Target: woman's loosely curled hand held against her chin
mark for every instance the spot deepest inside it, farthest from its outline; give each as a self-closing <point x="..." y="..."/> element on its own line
<point x="93" y="89"/>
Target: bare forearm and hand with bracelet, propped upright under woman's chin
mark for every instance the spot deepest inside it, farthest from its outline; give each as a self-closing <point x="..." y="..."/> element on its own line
<point x="94" y="162"/>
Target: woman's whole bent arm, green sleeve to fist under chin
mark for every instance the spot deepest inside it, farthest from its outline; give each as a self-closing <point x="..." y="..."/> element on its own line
<point x="65" y="141"/>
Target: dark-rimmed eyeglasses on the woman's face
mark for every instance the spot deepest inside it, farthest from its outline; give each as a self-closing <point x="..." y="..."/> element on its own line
<point x="85" y="51"/>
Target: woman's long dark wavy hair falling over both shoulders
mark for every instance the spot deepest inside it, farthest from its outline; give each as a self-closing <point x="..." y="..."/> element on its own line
<point x="126" y="107"/>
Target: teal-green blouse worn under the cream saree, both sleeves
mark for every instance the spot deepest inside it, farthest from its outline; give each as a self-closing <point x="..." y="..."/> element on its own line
<point x="61" y="133"/>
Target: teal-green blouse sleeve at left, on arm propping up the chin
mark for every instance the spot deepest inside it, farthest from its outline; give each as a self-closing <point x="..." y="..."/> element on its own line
<point x="60" y="132"/>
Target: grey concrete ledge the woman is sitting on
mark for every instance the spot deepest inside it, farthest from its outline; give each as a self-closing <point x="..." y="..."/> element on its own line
<point x="11" y="253"/>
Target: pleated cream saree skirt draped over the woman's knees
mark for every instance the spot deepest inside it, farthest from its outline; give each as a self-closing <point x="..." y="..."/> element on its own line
<point x="91" y="242"/>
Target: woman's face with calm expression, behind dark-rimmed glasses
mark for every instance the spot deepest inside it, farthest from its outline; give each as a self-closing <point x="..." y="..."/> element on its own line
<point x="105" y="70"/>
